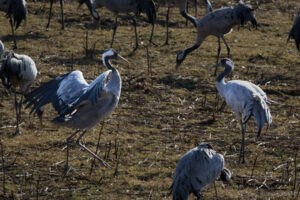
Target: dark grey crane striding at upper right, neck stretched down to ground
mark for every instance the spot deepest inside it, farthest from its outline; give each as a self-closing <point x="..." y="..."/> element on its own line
<point x="218" y="23"/>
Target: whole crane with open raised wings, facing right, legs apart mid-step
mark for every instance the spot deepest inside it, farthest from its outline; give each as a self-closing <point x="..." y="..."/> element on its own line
<point x="80" y="105"/>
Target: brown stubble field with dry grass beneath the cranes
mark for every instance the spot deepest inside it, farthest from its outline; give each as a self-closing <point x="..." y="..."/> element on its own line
<point x="162" y="112"/>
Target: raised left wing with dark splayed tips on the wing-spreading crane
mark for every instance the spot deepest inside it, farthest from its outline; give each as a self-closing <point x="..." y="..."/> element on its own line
<point x="61" y="92"/>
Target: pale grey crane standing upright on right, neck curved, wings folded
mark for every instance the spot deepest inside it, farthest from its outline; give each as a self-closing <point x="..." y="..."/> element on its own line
<point x="244" y="98"/>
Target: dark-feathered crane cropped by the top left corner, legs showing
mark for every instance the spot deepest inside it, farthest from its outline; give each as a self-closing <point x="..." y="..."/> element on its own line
<point x="16" y="11"/>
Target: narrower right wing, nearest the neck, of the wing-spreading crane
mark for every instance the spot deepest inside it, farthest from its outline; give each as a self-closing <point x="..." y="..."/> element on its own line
<point x="92" y="93"/>
